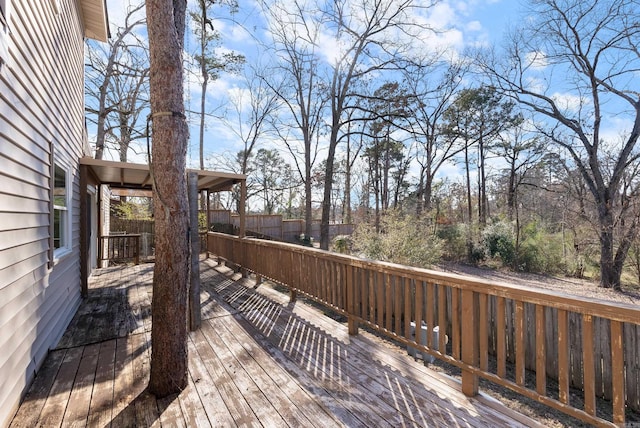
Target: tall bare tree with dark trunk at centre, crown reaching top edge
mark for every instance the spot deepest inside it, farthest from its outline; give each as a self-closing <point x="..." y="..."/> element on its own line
<point x="371" y="36"/>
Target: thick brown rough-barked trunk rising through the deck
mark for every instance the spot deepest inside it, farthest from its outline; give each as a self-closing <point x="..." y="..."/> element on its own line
<point x="165" y="21"/>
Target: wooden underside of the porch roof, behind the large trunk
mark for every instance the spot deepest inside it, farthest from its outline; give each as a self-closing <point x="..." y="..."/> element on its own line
<point x="137" y="176"/>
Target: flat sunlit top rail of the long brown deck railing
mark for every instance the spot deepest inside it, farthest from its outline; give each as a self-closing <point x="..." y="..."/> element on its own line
<point x="585" y="305"/>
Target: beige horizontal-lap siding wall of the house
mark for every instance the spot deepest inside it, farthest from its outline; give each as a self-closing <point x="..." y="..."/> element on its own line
<point x="41" y="109"/>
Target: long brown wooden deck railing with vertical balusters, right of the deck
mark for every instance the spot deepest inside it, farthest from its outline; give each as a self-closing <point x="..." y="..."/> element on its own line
<point x="590" y="345"/>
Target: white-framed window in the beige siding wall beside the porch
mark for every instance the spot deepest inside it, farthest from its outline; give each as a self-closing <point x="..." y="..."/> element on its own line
<point x="61" y="211"/>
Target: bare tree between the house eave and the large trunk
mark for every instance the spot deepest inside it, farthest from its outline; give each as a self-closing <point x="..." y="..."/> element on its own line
<point x="113" y="66"/>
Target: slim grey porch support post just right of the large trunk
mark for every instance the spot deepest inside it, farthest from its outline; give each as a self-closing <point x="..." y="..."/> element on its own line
<point x="195" y="318"/>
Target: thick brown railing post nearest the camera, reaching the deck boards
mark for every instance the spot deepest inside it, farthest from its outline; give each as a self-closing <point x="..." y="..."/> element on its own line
<point x="469" y="349"/>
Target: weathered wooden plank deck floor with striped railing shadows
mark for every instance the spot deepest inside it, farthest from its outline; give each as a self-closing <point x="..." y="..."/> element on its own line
<point x="258" y="360"/>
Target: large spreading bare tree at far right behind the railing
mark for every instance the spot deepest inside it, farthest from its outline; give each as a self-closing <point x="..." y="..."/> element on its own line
<point x="575" y="64"/>
